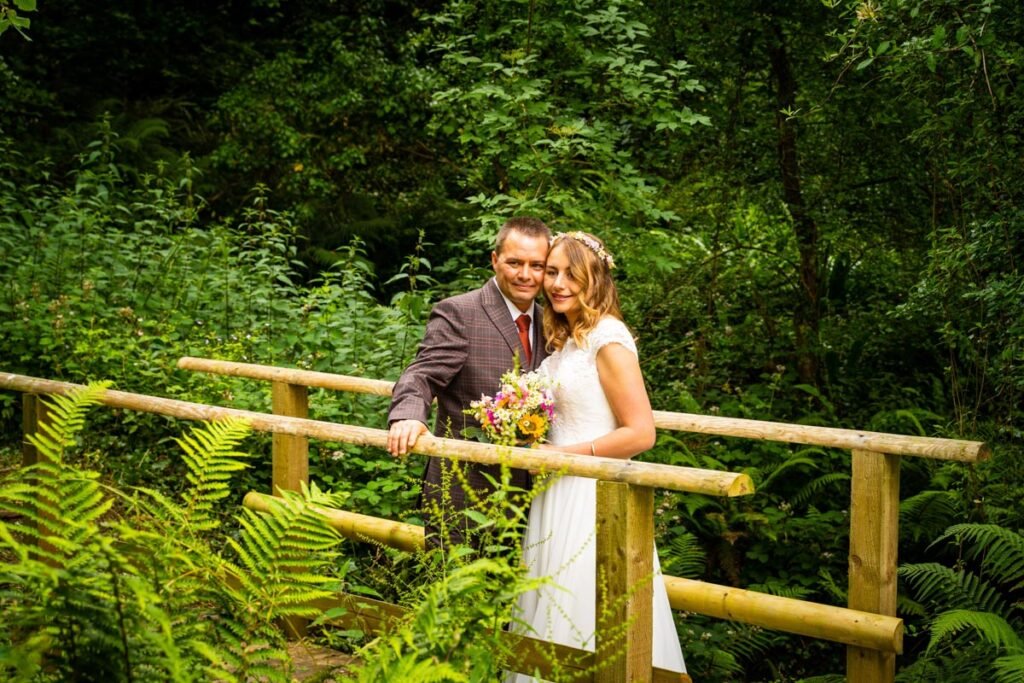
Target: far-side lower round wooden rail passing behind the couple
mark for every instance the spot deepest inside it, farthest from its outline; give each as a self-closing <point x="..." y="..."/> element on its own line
<point x="840" y="625"/>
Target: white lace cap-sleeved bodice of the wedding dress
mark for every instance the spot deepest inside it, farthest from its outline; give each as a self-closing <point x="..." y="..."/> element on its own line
<point x="583" y="411"/>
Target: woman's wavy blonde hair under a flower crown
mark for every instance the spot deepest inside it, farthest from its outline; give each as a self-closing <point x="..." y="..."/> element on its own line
<point x="590" y="267"/>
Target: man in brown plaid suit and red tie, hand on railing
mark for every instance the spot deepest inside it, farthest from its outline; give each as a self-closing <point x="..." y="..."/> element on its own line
<point x="470" y="344"/>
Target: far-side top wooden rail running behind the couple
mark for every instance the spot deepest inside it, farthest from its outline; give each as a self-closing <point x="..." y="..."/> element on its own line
<point x="923" y="447"/>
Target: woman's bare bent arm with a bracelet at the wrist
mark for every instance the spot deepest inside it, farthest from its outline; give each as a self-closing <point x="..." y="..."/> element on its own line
<point x="623" y="385"/>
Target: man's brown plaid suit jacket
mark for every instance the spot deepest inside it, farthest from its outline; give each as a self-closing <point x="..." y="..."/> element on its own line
<point x="467" y="347"/>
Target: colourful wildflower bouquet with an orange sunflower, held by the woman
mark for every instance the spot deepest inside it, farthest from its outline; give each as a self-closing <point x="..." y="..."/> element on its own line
<point x="522" y="412"/>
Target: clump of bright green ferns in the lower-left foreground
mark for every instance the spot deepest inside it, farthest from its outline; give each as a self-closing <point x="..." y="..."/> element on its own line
<point x="98" y="584"/>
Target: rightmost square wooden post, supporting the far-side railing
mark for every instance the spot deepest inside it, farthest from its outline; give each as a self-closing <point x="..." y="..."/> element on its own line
<point x="874" y="541"/>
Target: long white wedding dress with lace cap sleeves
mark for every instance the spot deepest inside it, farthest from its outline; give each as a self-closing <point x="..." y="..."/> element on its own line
<point x="561" y="536"/>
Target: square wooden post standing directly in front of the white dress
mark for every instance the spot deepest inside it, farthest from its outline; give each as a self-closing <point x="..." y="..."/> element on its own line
<point x="625" y="582"/>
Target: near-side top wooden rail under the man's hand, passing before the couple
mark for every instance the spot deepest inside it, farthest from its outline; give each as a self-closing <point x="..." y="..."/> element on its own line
<point x="608" y="469"/>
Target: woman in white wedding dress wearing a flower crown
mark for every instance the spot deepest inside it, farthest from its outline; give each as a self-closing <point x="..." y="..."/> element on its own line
<point x="603" y="410"/>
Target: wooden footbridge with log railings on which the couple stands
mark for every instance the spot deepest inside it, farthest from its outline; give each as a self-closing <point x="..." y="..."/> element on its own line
<point x="869" y="626"/>
